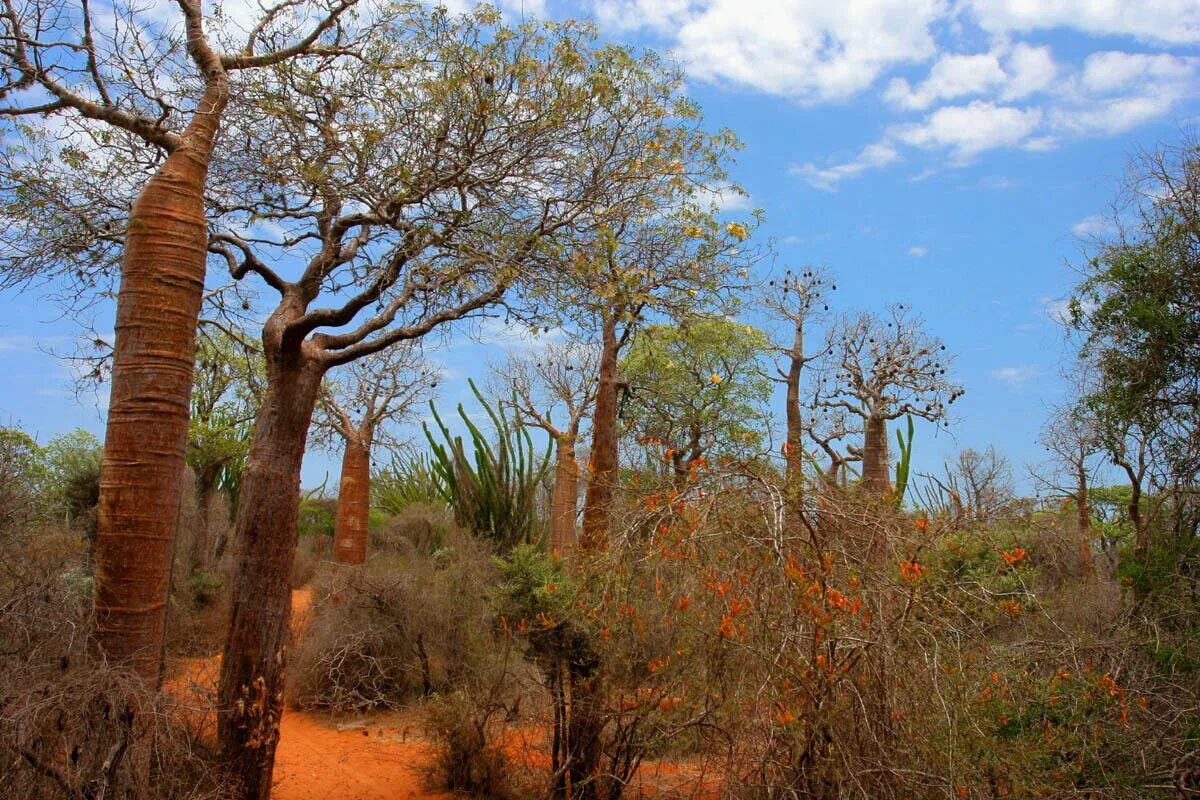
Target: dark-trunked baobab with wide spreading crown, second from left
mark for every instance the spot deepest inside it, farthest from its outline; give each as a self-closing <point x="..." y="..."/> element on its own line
<point x="399" y="202"/>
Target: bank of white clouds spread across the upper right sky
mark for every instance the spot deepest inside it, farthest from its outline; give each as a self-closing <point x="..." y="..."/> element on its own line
<point x="961" y="79"/>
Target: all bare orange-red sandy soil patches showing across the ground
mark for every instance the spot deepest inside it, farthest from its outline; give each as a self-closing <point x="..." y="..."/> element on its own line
<point x="386" y="756"/>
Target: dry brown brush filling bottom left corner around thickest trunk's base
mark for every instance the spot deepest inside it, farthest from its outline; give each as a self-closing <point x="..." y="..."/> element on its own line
<point x="70" y="725"/>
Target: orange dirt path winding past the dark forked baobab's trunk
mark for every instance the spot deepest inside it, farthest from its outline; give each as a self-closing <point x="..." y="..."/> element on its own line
<point x="326" y="760"/>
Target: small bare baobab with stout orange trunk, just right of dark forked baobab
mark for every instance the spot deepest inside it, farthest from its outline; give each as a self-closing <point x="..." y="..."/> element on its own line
<point x="359" y="410"/>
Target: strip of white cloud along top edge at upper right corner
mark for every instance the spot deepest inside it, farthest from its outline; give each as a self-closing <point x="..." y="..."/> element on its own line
<point x="1177" y="22"/>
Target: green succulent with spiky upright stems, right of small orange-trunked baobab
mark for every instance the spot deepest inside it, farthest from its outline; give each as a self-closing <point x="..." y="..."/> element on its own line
<point x="493" y="492"/>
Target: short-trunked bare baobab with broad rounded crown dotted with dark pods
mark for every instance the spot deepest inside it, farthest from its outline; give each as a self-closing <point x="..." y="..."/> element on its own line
<point x="881" y="369"/>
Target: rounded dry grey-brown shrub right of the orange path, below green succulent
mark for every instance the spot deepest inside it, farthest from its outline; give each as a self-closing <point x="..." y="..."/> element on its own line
<point x="394" y="630"/>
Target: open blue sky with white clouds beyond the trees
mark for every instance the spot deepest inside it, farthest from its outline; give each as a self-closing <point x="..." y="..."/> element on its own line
<point x="952" y="157"/>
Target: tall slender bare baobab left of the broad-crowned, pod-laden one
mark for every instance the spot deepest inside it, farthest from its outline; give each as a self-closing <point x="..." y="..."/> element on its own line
<point x="794" y="303"/>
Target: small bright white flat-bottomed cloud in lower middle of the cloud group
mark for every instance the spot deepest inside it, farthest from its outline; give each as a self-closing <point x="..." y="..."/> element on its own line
<point x="967" y="131"/>
